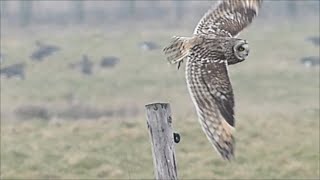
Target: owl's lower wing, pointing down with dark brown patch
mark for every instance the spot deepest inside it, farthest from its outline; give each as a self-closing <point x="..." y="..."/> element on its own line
<point x="211" y="92"/>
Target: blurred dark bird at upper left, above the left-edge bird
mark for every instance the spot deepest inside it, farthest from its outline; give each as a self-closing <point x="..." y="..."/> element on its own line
<point x="43" y="51"/>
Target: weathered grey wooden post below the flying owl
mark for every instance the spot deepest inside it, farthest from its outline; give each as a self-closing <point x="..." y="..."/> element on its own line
<point x="159" y="123"/>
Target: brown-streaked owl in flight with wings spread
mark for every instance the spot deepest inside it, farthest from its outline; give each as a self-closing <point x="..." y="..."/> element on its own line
<point x="208" y="52"/>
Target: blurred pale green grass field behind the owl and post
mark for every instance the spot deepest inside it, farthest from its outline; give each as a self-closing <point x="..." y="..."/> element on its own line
<point x="277" y="106"/>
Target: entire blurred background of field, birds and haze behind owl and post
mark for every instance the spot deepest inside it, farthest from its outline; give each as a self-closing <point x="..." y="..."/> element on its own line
<point x="75" y="76"/>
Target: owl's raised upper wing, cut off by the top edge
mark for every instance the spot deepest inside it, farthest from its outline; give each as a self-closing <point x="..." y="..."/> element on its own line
<point x="228" y="17"/>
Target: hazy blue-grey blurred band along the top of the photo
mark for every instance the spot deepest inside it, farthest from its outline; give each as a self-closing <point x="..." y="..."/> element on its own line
<point x="24" y="12"/>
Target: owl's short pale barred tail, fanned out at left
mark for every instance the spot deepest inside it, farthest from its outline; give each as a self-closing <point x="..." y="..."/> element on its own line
<point x="178" y="49"/>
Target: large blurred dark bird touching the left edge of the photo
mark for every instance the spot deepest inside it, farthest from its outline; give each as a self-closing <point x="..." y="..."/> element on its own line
<point x="14" y="70"/>
